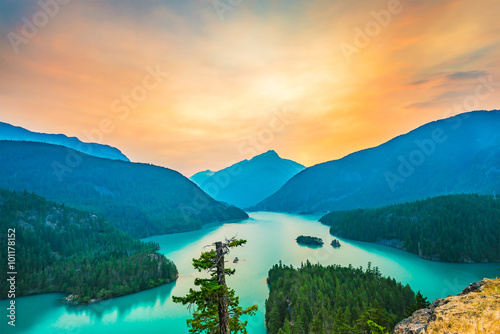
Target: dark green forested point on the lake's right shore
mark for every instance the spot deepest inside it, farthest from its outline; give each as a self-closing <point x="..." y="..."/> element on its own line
<point x="454" y="228"/>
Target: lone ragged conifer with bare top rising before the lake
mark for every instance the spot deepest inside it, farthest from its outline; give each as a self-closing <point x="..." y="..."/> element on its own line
<point x="218" y="309"/>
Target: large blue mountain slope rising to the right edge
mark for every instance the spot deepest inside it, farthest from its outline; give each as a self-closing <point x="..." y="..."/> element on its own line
<point x="460" y="154"/>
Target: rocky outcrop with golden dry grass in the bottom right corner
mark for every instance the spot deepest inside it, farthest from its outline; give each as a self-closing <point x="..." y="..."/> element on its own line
<point x="475" y="310"/>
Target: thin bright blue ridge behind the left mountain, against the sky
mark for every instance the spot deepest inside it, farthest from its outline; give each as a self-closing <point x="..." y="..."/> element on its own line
<point x="16" y="133"/>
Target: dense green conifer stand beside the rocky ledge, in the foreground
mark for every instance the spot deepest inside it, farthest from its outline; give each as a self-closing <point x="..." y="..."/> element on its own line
<point x="334" y="299"/>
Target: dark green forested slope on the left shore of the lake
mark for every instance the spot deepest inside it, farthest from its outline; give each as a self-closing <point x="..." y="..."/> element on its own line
<point x="76" y="252"/>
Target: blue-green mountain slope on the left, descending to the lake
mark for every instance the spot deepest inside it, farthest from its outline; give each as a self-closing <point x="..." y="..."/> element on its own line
<point x="140" y="199"/>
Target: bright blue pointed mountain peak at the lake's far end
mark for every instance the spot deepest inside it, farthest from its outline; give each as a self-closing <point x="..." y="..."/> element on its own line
<point x="249" y="181"/>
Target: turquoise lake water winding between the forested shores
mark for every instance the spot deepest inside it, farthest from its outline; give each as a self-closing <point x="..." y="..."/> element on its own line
<point x="271" y="237"/>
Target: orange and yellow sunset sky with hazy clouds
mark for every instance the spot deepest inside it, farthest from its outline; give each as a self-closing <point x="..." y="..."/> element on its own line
<point x="196" y="84"/>
